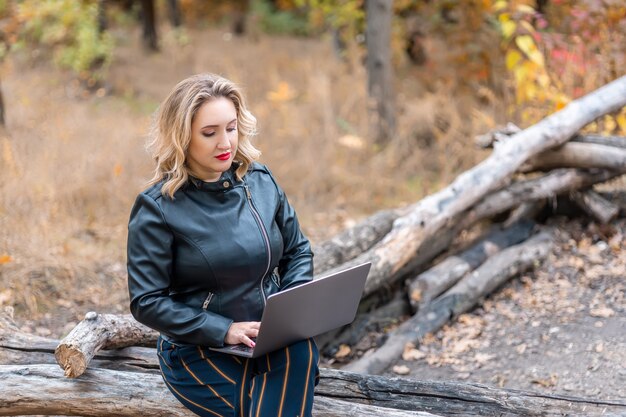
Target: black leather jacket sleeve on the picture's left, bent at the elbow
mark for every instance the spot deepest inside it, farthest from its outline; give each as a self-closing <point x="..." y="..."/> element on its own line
<point x="149" y="262"/>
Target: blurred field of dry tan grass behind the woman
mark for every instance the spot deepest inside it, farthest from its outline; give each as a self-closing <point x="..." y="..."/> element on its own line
<point x="72" y="164"/>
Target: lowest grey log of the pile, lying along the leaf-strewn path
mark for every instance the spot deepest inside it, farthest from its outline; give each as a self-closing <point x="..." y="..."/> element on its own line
<point x="459" y="299"/>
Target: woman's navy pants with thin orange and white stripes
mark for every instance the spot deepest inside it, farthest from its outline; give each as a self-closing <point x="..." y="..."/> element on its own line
<point x="209" y="383"/>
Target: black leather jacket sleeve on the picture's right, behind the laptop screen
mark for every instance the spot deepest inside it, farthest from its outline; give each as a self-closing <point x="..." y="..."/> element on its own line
<point x="296" y="265"/>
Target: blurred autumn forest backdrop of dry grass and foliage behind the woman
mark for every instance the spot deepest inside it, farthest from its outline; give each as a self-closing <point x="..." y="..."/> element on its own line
<point x="78" y="97"/>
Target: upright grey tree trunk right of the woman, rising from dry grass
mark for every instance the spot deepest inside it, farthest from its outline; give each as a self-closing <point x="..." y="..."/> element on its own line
<point x="379" y="69"/>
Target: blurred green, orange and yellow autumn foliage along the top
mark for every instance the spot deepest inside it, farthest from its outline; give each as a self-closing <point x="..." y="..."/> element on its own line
<point x="536" y="55"/>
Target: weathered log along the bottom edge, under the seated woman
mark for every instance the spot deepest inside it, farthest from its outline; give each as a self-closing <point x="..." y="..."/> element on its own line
<point x="42" y="390"/>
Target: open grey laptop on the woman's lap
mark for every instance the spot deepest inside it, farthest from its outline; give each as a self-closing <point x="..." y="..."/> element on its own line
<point x="306" y="310"/>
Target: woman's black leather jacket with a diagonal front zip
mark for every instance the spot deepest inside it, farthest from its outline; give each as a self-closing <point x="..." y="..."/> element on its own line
<point x="212" y="255"/>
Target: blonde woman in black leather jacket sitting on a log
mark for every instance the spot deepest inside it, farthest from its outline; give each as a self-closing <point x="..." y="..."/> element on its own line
<point x="208" y="242"/>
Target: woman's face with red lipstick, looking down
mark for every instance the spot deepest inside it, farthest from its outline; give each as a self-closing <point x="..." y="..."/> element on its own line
<point x="214" y="139"/>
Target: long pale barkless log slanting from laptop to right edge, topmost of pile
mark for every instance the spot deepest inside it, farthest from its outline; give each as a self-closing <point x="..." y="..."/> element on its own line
<point x="410" y="233"/>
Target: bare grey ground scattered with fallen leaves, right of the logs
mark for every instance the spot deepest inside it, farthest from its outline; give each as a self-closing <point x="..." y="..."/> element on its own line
<point x="560" y="328"/>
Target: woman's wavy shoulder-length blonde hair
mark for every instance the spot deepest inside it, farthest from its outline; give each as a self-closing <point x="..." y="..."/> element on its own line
<point x="171" y="129"/>
